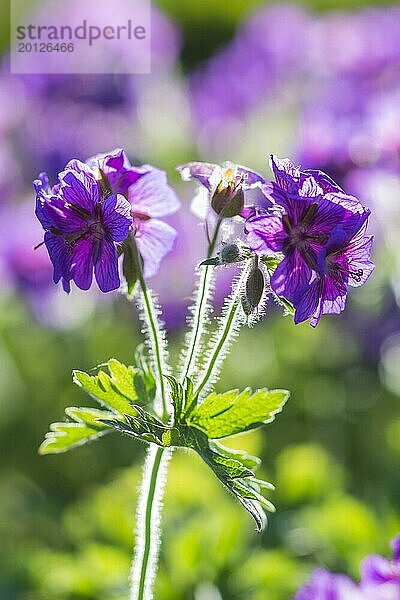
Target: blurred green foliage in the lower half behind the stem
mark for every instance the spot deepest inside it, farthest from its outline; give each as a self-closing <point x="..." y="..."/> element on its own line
<point x="68" y="520"/>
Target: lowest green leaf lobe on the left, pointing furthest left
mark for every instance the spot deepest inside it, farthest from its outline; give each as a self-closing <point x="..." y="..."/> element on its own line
<point x="85" y="426"/>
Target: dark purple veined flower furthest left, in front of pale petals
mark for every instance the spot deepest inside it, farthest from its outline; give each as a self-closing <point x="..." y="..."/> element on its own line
<point x="82" y="225"/>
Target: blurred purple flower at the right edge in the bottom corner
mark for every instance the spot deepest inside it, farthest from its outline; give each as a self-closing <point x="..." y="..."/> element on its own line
<point x="378" y="571"/>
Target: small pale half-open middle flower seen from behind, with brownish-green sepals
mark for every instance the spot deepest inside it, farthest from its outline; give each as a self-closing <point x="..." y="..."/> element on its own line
<point x="221" y="182"/>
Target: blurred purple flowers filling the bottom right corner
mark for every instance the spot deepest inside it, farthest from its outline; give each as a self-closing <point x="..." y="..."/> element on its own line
<point x="380" y="579"/>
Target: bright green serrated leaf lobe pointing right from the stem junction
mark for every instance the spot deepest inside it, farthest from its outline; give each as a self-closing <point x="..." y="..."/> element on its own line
<point x="221" y="415"/>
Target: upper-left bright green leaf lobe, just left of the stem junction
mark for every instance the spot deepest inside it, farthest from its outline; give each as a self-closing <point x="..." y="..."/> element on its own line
<point x="118" y="389"/>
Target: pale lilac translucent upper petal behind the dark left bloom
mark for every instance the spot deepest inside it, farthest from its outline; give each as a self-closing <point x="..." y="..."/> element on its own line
<point x="152" y="196"/>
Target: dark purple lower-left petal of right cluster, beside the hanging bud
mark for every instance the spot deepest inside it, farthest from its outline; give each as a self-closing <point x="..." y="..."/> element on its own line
<point x="291" y="275"/>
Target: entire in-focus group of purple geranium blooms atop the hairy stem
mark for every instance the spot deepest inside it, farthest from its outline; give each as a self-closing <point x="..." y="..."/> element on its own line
<point x="313" y="230"/>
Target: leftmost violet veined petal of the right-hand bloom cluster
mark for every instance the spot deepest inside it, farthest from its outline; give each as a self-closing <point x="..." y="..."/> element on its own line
<point x="265" y="233"/>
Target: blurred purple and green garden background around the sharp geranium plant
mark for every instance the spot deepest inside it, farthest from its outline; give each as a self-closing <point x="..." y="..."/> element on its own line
<point x="319" y="82"/>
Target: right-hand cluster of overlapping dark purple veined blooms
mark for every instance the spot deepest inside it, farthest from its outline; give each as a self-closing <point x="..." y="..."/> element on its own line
<point x="319" y="230"/>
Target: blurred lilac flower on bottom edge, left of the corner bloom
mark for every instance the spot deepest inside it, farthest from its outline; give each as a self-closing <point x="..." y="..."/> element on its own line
<point x="324" y="585"/>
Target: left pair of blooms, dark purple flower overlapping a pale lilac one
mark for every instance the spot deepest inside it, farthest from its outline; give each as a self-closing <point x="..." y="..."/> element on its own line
<point x="93" y="208"/>
